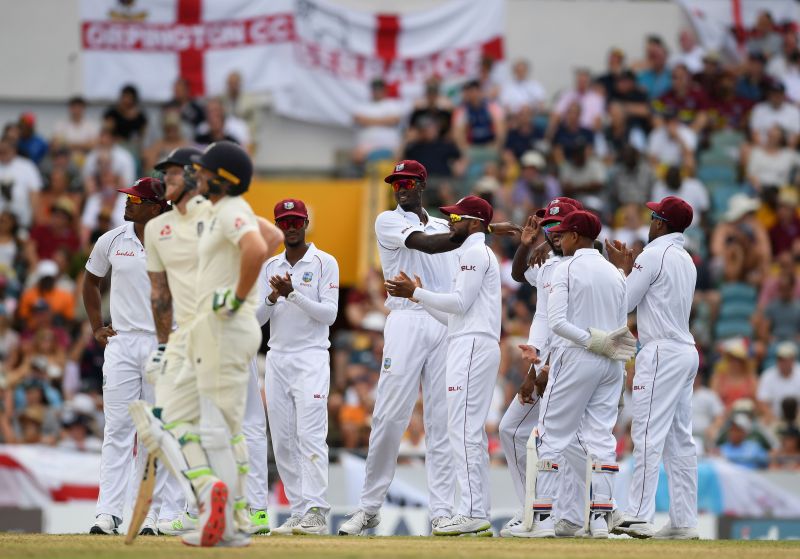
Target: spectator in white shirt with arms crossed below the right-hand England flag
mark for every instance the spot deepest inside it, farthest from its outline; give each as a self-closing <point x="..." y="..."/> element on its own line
<point x="378" y="125"/>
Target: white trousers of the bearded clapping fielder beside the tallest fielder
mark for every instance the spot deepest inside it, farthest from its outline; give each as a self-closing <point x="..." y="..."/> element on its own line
<point x="472" y="366"/>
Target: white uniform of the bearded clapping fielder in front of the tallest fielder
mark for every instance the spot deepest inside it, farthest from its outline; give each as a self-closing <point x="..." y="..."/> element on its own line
<point x="472" y="312"/>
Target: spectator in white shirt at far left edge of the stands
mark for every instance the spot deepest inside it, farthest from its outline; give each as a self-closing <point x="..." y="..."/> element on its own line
<point x="20" y="183"/>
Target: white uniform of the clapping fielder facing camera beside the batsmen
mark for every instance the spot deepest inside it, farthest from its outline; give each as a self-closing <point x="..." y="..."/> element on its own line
<point x="298" y="373"/>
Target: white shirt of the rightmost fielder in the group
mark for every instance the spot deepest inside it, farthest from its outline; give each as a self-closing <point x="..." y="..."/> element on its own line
<point x="661" y="285"/>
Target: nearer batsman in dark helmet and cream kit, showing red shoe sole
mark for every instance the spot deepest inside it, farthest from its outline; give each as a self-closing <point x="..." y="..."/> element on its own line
<point x="200" y="438"/>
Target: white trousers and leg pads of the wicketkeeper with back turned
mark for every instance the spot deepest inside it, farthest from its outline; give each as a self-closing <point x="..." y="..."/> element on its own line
<point x="581" y="400"/>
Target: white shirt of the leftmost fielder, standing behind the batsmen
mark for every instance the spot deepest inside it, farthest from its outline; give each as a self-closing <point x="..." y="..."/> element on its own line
<point x="121" y="251"/>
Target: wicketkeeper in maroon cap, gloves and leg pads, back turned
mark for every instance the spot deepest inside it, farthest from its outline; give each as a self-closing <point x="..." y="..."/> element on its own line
<point x="586" y="308"/>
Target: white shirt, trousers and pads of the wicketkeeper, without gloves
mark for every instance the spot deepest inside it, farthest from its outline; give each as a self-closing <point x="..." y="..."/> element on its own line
<point x="583" y="393"/>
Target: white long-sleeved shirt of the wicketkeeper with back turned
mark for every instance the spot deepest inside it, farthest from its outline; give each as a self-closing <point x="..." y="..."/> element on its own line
<point x="587" y="292"/>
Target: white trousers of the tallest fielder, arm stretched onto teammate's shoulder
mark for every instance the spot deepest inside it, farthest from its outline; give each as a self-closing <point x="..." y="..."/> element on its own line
<point x="414" y="352"/>
